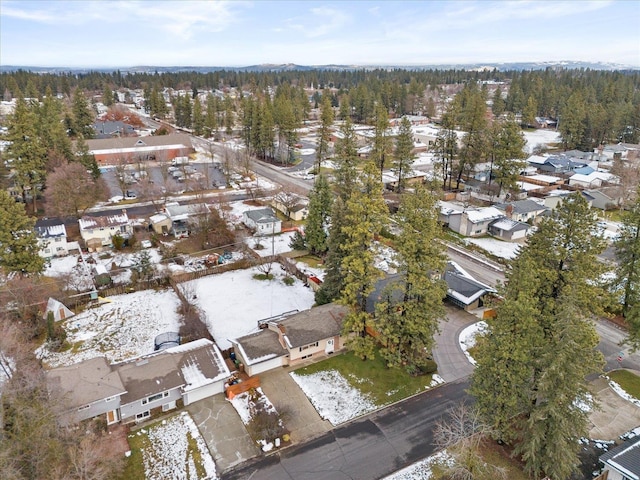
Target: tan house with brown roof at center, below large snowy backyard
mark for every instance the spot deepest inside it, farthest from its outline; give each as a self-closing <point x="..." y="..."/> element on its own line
<point x="289" y="339"/>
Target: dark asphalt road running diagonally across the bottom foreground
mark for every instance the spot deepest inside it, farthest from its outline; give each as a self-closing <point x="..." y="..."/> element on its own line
<point x="365" y="449"/>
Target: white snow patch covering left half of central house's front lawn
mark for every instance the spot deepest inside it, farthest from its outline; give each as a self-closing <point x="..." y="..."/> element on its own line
<point x="333" y="397"/>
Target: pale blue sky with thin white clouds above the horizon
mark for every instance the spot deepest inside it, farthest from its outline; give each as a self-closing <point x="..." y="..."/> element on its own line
<point x="239" y="33"/>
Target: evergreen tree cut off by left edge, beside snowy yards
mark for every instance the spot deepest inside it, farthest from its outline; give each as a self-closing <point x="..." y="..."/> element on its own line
<point x="19" y="252"/>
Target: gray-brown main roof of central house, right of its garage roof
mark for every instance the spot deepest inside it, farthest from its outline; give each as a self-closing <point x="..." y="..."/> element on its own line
<point x="314" y="324"/>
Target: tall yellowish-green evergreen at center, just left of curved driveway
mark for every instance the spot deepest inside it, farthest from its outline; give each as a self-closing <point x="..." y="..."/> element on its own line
<point x="407" y="318"/>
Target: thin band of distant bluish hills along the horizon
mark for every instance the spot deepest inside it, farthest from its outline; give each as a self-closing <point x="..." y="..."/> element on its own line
<point x="266" y="67"/>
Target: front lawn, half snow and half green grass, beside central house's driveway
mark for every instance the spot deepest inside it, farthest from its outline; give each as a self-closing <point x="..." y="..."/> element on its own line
<point x="344" y="387"/>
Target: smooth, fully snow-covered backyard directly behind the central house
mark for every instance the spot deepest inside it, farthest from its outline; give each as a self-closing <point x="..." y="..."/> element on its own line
<point x="234" y="301"/>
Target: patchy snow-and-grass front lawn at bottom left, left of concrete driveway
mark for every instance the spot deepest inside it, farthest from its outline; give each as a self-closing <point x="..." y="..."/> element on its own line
<point x="172" y="449"/>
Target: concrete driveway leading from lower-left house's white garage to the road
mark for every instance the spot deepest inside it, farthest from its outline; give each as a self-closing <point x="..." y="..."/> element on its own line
<point x="223" y="431"/>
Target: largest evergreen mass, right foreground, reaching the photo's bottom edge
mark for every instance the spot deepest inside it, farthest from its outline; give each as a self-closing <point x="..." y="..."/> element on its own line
<point x="538" y="350"/>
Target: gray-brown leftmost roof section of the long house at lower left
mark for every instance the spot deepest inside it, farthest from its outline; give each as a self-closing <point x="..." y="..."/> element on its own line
<point x="86" y="382"/>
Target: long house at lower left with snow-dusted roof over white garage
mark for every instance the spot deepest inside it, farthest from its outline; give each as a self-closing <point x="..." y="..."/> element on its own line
<point x="131" y="391"/>
